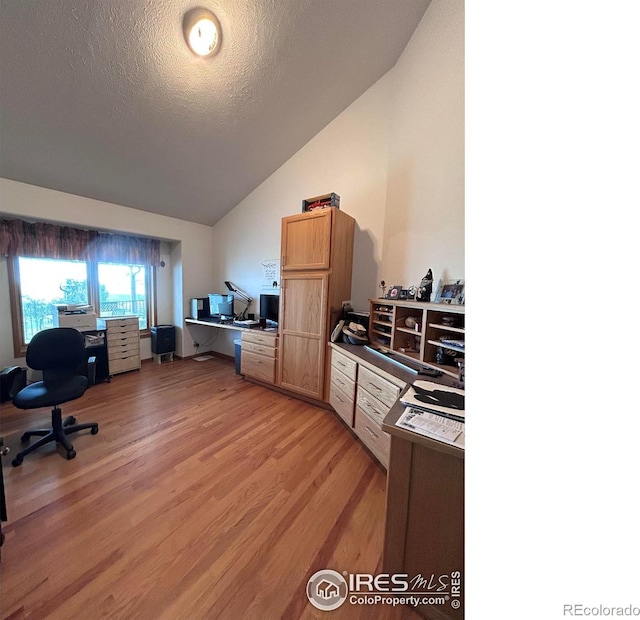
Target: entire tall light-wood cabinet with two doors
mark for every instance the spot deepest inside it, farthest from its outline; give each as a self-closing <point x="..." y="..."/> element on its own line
<point x="316" y="266"/>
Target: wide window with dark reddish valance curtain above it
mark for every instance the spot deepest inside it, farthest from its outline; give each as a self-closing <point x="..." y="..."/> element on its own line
<point x="52" y="264"/>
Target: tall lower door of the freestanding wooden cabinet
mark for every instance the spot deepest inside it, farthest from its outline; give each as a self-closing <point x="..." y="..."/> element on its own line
<point x="303" y="332"/>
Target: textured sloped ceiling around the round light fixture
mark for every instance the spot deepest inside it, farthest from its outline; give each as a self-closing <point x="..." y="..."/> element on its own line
<point x="102" y="98"/>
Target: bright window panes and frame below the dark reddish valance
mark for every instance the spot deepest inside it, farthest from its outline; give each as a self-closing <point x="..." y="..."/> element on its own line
<point x="114" y="289"/>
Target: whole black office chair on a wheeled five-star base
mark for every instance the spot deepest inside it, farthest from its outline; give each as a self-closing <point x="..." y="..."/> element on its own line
<point x="61" y="356"/>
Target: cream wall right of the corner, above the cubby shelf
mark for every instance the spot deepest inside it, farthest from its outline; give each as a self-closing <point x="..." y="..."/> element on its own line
<point x="424" y="223"/>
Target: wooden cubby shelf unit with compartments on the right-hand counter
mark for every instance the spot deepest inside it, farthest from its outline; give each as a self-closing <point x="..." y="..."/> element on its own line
<point x="427" y="333"/>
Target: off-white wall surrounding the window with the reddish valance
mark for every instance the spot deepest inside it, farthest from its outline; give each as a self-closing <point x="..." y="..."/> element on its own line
<point x="188" y="265"/>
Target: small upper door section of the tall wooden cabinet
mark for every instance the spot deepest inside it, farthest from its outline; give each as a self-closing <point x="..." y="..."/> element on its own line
<point x="307" y="239"/>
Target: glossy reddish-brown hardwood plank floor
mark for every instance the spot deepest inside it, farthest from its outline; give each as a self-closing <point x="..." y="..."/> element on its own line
<point x="202" y="496"/>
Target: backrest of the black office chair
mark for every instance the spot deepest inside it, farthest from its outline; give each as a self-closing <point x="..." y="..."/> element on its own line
<point x="58" y="352"/>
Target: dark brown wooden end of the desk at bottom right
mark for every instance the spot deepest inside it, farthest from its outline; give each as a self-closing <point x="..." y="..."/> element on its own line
<point x="424" y="529"/>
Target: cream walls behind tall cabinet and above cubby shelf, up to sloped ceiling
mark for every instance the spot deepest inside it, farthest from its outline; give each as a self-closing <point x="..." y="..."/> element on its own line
<point x="395" y="157"/>
